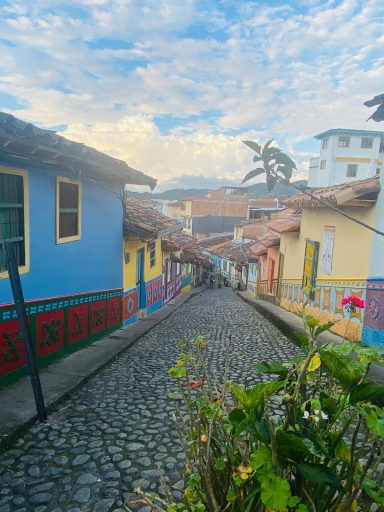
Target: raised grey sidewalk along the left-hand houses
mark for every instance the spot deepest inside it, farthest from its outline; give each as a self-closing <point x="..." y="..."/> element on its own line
<point x="58" y="380"/>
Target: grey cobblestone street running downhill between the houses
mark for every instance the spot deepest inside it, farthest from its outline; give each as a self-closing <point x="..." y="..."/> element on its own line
<point x="110" y="435"/>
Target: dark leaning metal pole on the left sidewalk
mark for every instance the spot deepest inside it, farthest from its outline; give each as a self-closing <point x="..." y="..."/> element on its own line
<point x="18" y="297"/>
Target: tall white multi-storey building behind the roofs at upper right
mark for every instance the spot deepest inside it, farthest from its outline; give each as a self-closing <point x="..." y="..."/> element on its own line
<point x="346" y="155"/>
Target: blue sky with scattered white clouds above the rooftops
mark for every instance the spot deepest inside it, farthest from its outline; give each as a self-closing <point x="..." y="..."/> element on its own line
<point x="173" y="86"/>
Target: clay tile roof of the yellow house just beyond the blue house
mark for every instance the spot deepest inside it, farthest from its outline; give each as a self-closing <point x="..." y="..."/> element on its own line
<point x="143" y="221"/>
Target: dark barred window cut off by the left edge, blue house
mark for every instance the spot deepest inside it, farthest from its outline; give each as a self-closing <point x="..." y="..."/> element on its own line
<point x="13" y="216"/>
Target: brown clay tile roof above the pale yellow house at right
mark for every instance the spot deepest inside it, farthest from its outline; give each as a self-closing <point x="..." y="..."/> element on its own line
<point x="339" y="195"/>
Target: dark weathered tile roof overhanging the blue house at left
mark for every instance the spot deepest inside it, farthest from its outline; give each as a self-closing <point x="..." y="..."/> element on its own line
<point x="26" y="143"/>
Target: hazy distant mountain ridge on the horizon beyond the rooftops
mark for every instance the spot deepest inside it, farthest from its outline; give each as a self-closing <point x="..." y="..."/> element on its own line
<point x="257" y="190"/>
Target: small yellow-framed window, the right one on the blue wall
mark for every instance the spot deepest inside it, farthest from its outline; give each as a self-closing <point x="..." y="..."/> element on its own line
<point x="68" y="210"/>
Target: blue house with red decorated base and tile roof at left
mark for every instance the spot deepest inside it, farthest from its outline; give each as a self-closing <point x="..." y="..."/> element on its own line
<point x="61" y="206"/>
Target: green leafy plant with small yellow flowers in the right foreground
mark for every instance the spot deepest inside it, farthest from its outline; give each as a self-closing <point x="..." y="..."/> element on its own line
<point x="322" y="451"/>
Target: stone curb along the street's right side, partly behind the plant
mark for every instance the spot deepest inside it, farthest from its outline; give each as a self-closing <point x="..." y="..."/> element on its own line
<point x="290" y="324"/>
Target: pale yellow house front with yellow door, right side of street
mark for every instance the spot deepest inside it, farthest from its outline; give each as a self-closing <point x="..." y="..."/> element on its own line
<point x="335" y="253"/>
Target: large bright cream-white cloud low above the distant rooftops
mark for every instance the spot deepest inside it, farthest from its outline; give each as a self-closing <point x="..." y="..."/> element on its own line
<point x="138" y="141"/>
